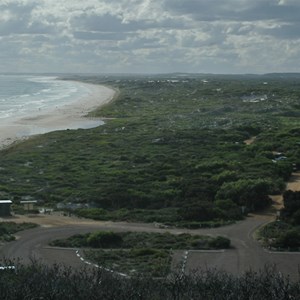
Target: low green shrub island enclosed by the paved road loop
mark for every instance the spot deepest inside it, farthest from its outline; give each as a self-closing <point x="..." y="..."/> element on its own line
<point x="138" y="252"/>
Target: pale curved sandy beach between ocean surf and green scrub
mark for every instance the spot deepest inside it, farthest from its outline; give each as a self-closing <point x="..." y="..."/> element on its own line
<point x="70" y="116"/>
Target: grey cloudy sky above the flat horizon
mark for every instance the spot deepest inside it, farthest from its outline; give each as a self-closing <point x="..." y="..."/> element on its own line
<point x="150" y="36"/>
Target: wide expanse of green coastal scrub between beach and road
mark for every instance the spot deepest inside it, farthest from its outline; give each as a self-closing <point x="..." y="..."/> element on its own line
<point x="173" y="148"/>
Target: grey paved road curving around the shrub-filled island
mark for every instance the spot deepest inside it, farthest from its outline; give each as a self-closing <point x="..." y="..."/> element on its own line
<point x="245" y="254"/>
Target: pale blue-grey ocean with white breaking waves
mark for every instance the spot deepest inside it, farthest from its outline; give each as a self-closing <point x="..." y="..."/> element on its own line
<point x="21" y="95"/>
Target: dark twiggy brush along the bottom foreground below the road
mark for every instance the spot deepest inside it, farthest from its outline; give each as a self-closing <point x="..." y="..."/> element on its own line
<point x="43" y="282"/>
